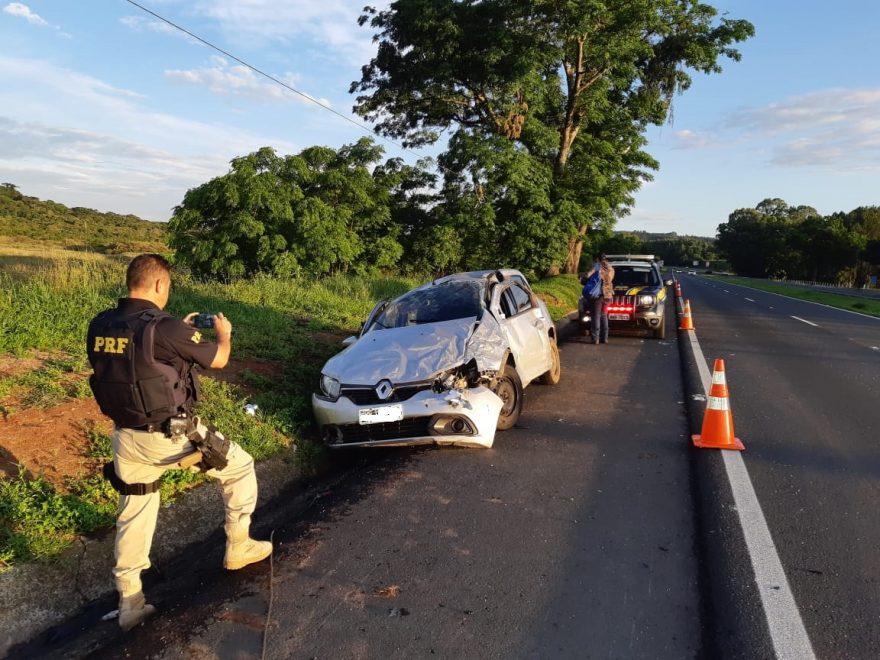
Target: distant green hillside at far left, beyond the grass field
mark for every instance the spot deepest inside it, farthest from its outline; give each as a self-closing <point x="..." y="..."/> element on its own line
<point x="77" y="228"/>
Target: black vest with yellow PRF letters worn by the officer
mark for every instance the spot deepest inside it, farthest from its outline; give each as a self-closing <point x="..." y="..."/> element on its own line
<point x="132" y="388"/>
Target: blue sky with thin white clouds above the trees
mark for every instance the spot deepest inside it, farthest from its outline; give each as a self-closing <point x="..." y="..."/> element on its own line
<point x="103" y="106"/>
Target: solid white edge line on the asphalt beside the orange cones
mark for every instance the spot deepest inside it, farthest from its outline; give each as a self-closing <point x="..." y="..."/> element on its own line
<point x="787" y="632"/>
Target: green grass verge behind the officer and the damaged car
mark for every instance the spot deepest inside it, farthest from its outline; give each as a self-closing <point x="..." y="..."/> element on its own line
<point x="47" y="298"/>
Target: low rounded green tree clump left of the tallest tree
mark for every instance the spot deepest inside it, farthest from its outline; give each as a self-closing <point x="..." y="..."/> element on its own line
<point x="317" y="212"/>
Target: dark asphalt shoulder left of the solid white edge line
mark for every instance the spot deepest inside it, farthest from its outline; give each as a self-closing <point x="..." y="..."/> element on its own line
<point x="572" y="538"/>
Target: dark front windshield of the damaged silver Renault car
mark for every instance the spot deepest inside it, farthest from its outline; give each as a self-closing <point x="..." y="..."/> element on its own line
<point x="456" y="299"/>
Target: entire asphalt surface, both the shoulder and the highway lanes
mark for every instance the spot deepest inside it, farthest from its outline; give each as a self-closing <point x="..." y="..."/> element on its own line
<point x="577" y="535"/>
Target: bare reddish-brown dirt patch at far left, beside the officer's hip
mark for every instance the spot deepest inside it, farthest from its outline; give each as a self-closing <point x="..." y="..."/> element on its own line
<point x="51" y="442"/>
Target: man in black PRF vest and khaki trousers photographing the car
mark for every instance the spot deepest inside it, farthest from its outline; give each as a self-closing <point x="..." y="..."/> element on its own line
<point x="143" y="360"/>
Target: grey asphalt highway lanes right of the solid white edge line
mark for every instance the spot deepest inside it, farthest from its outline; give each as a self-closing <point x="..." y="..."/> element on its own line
<point x="804" y="384"/>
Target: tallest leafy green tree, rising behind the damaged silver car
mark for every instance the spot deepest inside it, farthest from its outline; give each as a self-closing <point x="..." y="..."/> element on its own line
<point x="571" y="84"/>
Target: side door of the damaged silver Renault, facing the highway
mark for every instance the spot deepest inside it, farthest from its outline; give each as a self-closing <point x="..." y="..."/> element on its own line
<point x="523" y="323"/>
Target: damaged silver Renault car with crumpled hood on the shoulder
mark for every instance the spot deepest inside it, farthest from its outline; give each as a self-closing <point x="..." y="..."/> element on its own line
<point x="444" y="363"/>
